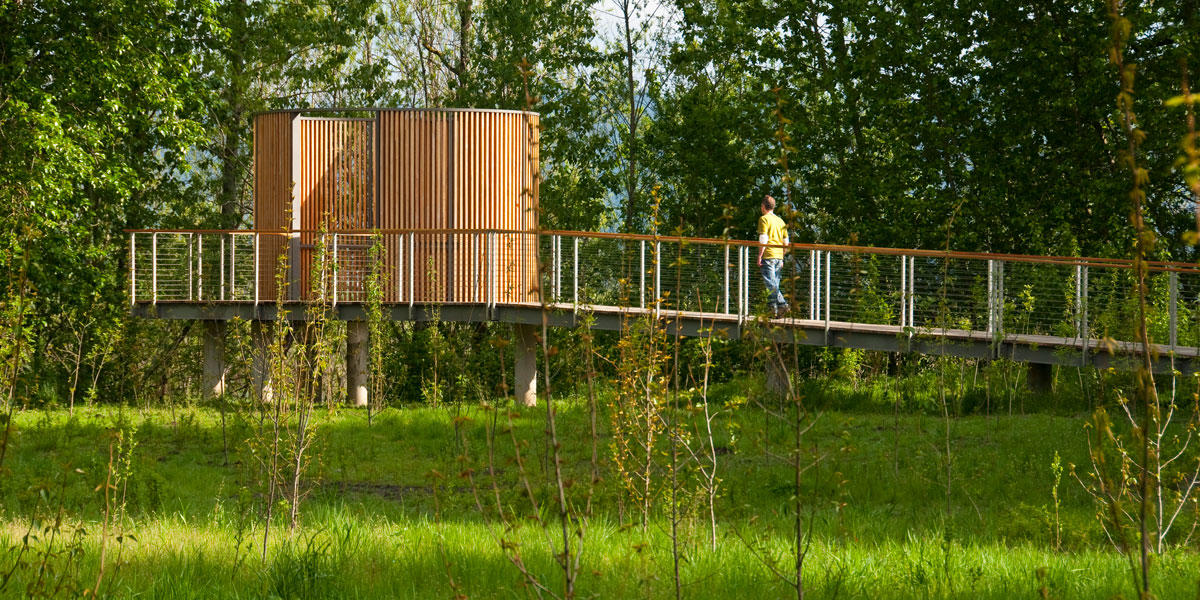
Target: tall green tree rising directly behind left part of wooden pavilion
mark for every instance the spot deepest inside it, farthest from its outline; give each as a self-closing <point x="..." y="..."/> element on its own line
<point x="263" y="56"/>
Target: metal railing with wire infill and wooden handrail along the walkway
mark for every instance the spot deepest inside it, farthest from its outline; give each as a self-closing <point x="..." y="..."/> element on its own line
<point x="1084" y="299"/>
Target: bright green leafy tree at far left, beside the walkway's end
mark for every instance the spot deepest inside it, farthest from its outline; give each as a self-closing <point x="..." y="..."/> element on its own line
<point x="95" y="100"/>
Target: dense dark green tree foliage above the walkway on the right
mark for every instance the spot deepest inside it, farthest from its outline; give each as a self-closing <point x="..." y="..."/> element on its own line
<point x="993" y="117"/>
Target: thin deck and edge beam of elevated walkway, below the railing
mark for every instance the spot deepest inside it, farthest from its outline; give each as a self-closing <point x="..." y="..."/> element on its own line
<point x="935" y="341"/>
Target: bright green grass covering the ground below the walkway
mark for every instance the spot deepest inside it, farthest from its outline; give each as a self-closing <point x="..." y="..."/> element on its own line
<point x="878" y="503"/>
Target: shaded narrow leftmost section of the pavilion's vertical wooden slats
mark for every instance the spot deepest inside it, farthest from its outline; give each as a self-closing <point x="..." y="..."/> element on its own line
<point x="273" y="194"/>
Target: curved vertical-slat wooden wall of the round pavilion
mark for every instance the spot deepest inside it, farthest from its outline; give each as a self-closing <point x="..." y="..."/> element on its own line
<point x="407" y="170"/>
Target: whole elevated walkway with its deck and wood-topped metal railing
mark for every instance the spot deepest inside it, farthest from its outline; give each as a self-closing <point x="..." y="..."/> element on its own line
<point x="1042" y="310"/>
